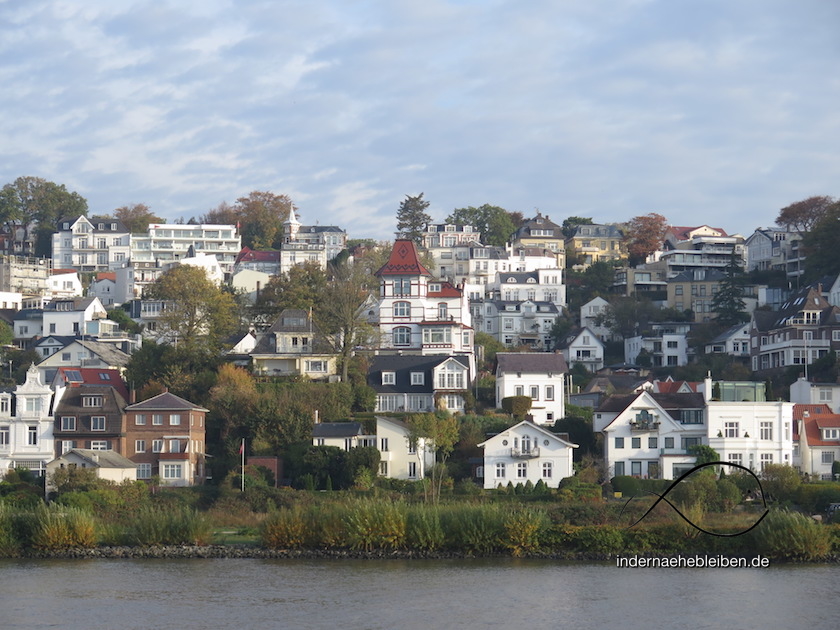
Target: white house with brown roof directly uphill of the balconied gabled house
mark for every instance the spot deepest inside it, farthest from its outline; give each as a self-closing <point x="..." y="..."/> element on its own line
<point x="540" y="375"/>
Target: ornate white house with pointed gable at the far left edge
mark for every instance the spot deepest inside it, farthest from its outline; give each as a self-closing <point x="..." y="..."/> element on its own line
<point x="26" y="436"/>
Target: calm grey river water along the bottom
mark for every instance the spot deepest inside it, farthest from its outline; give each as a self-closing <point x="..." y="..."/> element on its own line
<point x="242" y="594"/>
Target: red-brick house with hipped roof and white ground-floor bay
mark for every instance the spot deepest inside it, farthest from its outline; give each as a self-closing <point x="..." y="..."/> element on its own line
<point x="165" y="436"/>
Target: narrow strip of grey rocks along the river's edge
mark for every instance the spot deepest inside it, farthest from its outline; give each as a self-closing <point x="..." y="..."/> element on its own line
<point x="186" y="552"/>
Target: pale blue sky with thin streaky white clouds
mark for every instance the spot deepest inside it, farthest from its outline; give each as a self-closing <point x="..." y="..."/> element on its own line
<point x="715" y="112"/>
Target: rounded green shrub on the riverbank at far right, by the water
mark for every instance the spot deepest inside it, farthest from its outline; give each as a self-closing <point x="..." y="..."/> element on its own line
<point x="791" y="536"/>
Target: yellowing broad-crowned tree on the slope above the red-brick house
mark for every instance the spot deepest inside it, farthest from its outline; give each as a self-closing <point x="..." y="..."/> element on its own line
<point x="197" y="315"/>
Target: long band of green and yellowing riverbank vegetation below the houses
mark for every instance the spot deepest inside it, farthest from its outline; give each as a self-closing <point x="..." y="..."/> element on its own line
<point x="575" y="520"/>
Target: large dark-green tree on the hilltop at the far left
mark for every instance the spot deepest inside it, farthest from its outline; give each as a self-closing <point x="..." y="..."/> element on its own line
<point x="33" y="202"/>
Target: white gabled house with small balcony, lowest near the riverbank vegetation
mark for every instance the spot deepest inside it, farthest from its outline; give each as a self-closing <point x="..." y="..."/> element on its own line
<point x="526" y="452"/>
